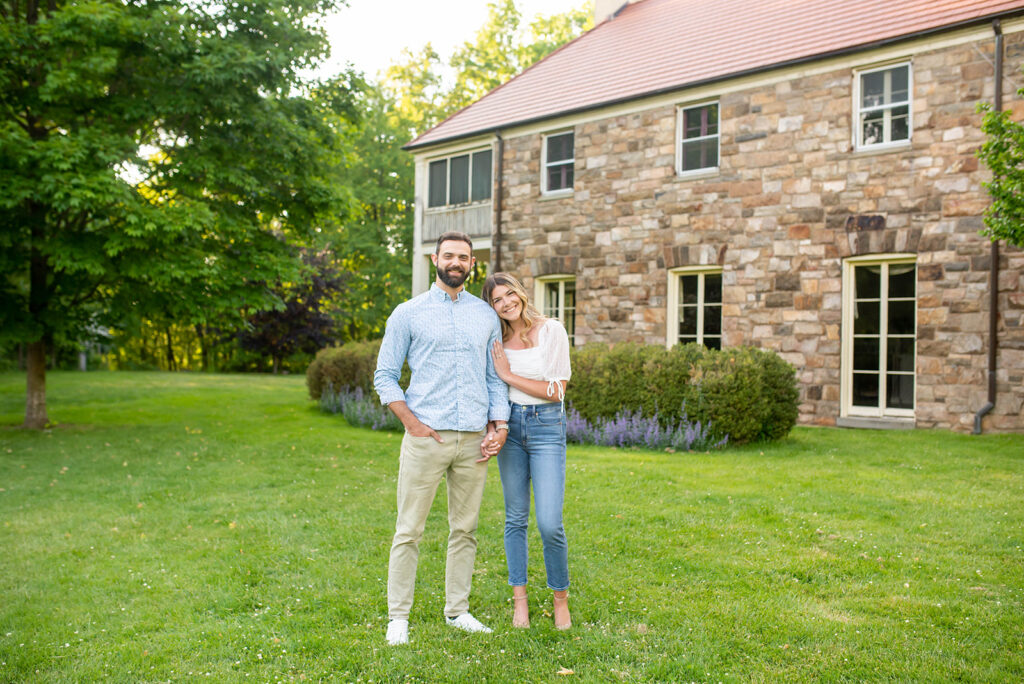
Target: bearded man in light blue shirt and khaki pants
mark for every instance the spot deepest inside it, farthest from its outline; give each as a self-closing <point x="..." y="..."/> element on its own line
<point x="454" y="401"/>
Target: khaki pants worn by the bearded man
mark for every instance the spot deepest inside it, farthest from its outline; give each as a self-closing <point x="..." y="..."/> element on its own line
<point x="422" y="464"/>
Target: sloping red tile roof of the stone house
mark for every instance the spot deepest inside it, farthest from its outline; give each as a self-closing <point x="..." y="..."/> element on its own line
<point x="655" y="47"/>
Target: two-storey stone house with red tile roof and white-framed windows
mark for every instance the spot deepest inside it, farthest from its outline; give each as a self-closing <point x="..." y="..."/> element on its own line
<point x="798" y="177"/>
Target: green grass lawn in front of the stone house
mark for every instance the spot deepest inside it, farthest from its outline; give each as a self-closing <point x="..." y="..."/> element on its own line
<point x="178" y="528"/>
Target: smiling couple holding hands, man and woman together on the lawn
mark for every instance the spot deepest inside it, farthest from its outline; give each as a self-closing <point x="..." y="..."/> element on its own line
<point x="482" y="386"/>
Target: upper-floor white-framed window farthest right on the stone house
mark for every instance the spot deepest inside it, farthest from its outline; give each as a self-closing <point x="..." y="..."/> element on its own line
<point x="882" y="101"/>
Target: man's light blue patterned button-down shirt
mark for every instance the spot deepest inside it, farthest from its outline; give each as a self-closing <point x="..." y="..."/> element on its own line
<point x="448" y="345"/>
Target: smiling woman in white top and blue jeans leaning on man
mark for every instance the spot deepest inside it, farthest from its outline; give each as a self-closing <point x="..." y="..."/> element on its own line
<point x="534" y="360"/>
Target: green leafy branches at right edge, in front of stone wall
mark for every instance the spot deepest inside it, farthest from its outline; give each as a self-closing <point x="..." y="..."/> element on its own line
<point x="1003" y="153"/>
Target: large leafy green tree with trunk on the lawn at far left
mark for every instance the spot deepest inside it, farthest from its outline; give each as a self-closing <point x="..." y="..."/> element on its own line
<point x="157" y="155"/>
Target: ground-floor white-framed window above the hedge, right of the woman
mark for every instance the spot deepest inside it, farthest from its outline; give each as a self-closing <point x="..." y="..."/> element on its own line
<point x="695" y="307"/>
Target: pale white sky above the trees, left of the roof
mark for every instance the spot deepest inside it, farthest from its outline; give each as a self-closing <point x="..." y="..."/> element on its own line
<point x="371" y="34"/>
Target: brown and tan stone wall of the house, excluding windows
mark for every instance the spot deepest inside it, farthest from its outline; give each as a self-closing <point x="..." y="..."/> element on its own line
<point x="792" y="200"/>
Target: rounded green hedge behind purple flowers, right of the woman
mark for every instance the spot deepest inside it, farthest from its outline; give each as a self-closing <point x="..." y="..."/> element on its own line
<point x="749" y="395"/>
